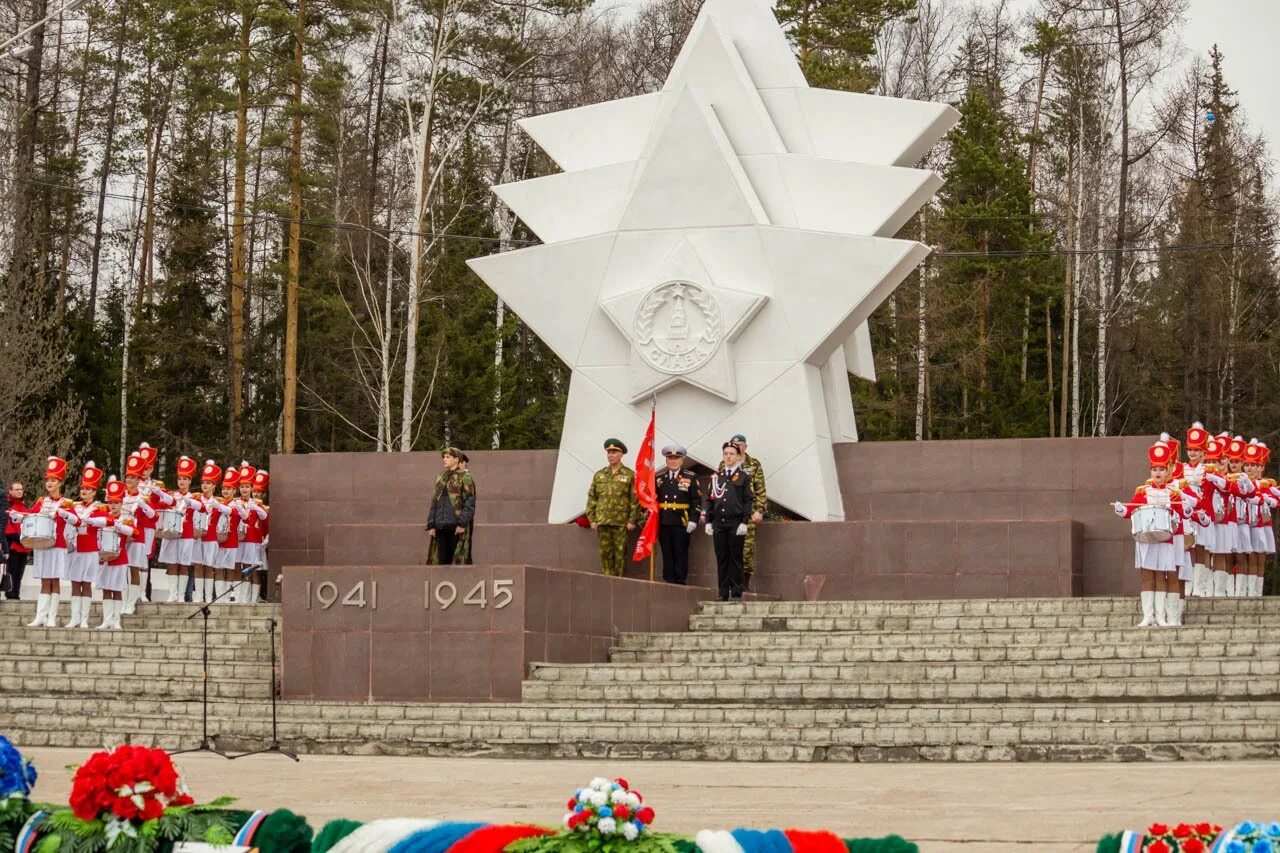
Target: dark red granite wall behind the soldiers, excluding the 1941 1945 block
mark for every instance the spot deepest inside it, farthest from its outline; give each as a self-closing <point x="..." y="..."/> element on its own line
<point x="925" y="519"/>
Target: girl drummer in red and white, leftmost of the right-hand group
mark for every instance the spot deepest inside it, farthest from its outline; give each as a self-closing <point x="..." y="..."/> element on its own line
<point x="1158" y="560"/>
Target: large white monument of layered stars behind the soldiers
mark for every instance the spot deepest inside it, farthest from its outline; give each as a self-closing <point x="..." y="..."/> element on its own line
<point x="719" y="248"/>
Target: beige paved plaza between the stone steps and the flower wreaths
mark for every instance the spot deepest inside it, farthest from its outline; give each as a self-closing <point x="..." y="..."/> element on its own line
<point x="945" y="808"/>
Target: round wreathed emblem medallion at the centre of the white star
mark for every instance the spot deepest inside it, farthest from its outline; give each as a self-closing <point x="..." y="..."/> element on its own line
<point x="679" y="327"/>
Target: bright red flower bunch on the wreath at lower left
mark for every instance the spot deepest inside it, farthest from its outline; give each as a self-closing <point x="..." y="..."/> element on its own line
<point x="129" y="783"/>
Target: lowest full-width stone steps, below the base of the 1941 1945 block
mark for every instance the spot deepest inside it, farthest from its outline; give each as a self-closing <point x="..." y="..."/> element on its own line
<point x="944" y="733"/>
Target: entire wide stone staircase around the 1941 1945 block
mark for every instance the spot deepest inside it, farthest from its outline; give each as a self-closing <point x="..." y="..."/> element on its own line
<point x="881" y="681"/>
